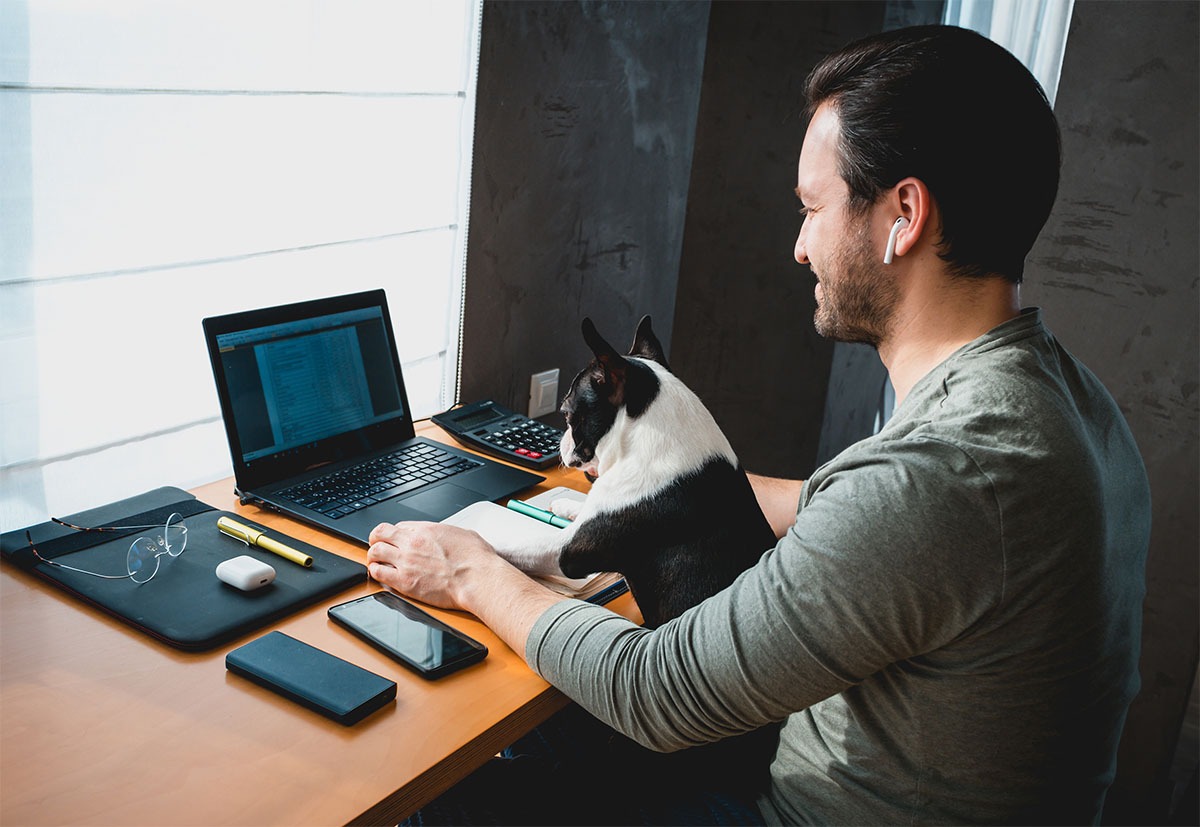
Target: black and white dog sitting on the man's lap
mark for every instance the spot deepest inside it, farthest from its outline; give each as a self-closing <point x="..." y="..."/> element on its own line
<point x="671" y="508"/>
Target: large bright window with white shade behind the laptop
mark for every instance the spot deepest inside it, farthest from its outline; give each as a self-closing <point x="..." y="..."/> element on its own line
<point x="170" y="160"/>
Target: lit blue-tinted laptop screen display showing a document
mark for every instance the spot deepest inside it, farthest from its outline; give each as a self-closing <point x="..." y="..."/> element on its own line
<point x="297" y="383"/>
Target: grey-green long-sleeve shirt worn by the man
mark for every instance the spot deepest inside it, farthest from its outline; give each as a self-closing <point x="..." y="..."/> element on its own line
<point x="951" y="628"/>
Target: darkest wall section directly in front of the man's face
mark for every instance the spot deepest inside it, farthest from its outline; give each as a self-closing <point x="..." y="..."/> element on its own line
<point x="745" y="338"/>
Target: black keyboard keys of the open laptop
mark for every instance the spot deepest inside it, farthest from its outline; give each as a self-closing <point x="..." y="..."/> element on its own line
<point x="403" y="471"/>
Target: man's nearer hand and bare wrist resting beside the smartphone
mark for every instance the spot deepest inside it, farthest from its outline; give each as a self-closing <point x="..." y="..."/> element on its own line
<point x="455" y="568"/>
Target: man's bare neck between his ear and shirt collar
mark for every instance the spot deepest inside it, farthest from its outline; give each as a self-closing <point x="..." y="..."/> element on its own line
<point x="935" y="321"/>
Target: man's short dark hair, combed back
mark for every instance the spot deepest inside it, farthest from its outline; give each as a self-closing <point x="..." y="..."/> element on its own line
<point x="961" y="113"/>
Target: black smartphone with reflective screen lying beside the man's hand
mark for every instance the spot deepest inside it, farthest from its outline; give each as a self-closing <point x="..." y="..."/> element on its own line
<point x="418" y="640"/>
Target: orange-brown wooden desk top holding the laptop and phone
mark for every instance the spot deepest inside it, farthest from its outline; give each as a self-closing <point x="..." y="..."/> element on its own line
<point x="104" y="726"/>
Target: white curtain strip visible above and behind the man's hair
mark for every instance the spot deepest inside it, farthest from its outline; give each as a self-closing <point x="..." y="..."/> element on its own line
<point x="1034" y="31"/>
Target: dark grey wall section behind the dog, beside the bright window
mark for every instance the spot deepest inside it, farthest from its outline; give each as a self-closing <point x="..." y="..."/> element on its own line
<point x="584" y="140"/>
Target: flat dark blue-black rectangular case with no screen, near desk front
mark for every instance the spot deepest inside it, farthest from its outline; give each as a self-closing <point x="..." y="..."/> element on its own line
<point x="313" y="678"/>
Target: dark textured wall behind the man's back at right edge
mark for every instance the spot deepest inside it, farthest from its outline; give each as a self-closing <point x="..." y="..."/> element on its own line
<point x="1115" y="272"/>
